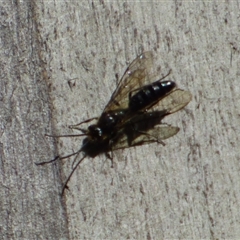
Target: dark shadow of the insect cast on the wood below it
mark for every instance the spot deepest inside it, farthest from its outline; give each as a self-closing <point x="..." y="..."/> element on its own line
<point x="134" y="133"/>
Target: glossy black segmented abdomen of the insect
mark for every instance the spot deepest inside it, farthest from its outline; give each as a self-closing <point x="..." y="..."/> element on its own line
<point x="150" y="94"/>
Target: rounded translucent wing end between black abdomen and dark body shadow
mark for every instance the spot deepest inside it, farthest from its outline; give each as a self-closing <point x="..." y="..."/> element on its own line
<point x="173" y="102"/>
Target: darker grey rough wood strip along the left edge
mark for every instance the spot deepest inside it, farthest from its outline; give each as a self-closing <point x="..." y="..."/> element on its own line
<point x="31" y="207"/>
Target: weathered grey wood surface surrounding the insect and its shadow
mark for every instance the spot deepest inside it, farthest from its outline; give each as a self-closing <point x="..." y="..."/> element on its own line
<point x="188" y="189"/>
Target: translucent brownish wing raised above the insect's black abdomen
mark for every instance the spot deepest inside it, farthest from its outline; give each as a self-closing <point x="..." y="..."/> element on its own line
<point x="135" y="76"/>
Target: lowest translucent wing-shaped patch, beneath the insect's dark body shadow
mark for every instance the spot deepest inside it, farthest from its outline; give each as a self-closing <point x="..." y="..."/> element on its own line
<point x="156" y="134"/>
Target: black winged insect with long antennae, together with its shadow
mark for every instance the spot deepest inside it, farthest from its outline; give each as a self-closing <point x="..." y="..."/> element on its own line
<point x="133" y="114"/>
